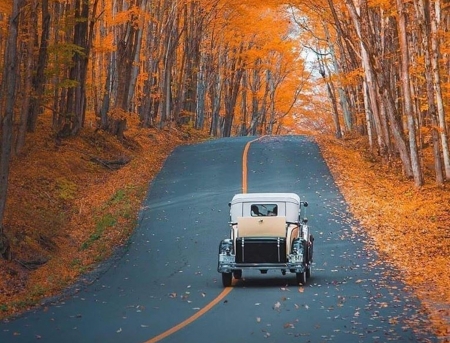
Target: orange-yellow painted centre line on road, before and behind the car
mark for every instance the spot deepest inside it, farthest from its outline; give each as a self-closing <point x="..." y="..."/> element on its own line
<point x="227" y="290"/>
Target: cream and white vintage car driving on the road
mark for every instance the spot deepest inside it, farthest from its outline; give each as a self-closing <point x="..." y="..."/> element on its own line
<point x="268" y="231"/>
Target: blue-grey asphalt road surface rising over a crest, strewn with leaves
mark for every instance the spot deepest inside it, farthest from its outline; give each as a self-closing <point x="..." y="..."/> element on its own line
<point x="165" y="286"/>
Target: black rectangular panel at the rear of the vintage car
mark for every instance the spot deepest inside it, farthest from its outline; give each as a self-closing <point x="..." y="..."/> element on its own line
<point x="261" y="250"/>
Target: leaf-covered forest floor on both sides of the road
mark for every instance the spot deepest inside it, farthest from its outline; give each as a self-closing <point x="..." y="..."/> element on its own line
<point x="72" y="202"/>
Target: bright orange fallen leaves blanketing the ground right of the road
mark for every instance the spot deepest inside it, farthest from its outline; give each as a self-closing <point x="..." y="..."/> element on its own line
<point x="408" y="226"/>
